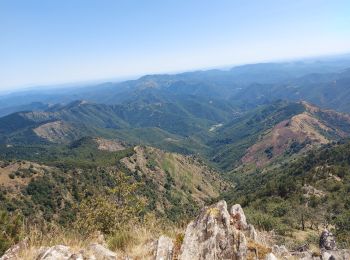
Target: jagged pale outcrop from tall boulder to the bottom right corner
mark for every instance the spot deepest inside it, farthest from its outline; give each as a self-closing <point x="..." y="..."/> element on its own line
<point x="219" y="234"/>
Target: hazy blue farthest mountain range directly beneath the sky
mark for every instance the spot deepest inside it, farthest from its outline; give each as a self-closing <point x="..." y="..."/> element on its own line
<point x="310" y="80"/>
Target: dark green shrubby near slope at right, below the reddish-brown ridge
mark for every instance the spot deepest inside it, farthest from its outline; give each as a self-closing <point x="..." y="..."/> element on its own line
<point x="300" y="195"/>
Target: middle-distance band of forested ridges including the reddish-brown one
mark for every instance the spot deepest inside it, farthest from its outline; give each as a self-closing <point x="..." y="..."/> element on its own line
<point x="216" y="130"/>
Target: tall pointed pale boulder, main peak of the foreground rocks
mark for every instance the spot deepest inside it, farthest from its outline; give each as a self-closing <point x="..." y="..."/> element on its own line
<point x="211" y="236"/>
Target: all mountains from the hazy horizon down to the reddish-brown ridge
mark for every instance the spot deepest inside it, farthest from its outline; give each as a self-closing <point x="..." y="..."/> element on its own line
<point x="228" y="116"/>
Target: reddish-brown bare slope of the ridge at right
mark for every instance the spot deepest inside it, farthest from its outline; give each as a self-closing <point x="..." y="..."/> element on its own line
<point x="303" y="131"/>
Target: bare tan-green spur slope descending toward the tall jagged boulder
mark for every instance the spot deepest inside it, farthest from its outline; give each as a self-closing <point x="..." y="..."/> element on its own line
<point x="175" y="175"/>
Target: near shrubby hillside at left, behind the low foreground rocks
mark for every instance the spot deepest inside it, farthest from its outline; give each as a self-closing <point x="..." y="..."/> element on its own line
<point x="79" y="187"/>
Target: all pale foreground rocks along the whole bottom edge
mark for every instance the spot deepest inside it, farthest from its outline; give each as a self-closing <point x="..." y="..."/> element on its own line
<point x="217" y="233"/>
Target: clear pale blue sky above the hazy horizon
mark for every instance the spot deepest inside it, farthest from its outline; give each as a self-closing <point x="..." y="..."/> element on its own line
<point x="59" y="41"/>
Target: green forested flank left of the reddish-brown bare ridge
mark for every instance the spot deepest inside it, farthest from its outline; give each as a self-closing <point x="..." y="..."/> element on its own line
<point x="231" y="141"/>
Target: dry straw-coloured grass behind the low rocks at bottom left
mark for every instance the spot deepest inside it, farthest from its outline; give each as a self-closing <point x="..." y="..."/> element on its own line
<point x="136" y="241"/>
